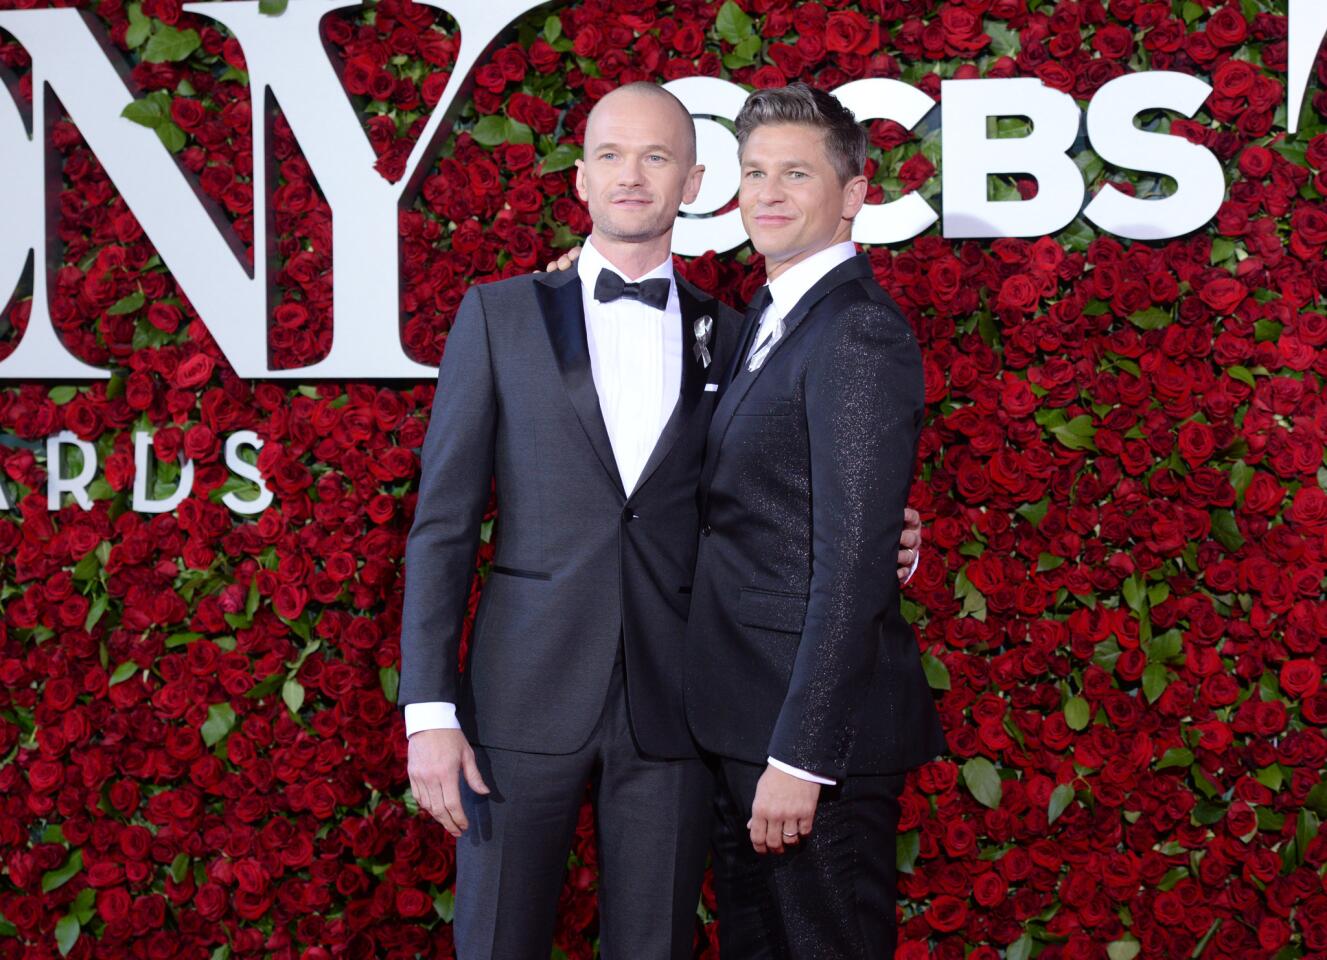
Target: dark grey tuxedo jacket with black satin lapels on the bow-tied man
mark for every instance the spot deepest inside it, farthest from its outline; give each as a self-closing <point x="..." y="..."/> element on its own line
<point x="579" y="566"/>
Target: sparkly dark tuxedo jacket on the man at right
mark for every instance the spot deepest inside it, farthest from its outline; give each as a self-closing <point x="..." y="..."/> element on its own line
<point x="797" y="647"/>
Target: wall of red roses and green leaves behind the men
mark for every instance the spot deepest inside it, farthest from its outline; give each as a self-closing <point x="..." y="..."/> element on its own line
<point x="1121" y="602"/>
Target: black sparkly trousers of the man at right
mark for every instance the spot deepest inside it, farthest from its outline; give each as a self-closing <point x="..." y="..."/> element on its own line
<point x="829" y="898"/>
